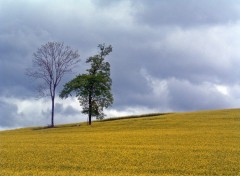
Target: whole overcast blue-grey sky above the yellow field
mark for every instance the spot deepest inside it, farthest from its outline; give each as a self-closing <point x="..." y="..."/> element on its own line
<point x="167" y="55"/>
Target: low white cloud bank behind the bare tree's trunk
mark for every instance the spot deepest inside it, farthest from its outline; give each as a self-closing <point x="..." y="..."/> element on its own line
<point x="33" y="113"/>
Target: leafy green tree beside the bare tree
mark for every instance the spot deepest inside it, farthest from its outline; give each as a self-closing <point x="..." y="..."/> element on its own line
<point x="93" y="89"/>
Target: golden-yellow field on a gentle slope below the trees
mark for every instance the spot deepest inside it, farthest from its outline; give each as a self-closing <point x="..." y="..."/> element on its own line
<point x="194" y="143"/>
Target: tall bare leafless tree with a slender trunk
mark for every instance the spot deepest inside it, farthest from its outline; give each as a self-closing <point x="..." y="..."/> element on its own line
<point x="50" y="63"/>
